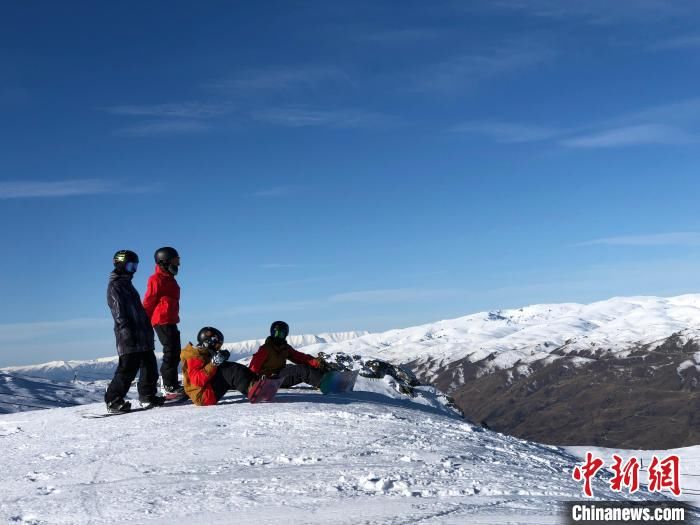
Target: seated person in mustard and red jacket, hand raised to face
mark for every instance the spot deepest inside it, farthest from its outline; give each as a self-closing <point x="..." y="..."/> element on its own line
<point x="207" y="374"/>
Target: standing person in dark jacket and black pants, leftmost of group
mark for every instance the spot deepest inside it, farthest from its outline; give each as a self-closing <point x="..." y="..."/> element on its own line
<point x="135" y="338"/>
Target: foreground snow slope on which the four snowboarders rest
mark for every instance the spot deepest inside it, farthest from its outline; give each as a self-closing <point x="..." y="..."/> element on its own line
<point x="362" y="457"/>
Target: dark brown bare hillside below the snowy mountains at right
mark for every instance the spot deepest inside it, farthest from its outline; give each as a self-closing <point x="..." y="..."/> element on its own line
<point x="591" y="398"/>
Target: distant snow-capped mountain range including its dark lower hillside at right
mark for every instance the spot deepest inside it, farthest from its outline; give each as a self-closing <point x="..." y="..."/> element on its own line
<point x="610" y="373"/>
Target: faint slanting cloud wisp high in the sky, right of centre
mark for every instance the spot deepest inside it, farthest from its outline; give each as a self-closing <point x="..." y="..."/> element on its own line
<point x="465" y="71"/>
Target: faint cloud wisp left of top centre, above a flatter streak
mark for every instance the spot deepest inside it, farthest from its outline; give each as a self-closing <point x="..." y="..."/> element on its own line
<point x="282" y="78"/>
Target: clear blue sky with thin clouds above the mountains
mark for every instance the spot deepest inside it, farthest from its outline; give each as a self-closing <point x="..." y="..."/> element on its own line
<point x="342" y="165"/>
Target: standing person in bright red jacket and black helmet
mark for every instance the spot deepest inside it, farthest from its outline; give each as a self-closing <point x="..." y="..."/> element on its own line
<point x="162" y="304"/>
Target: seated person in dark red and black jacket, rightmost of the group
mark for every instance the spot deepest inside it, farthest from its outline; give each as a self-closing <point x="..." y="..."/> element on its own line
<point x="271" y="360"/>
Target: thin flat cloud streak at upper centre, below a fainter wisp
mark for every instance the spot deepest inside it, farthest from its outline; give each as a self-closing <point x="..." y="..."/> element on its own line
<point x="298" y="117"/>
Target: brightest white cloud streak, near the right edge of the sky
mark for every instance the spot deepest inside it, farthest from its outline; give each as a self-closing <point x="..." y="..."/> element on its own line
<point x="637" y="135"/>
